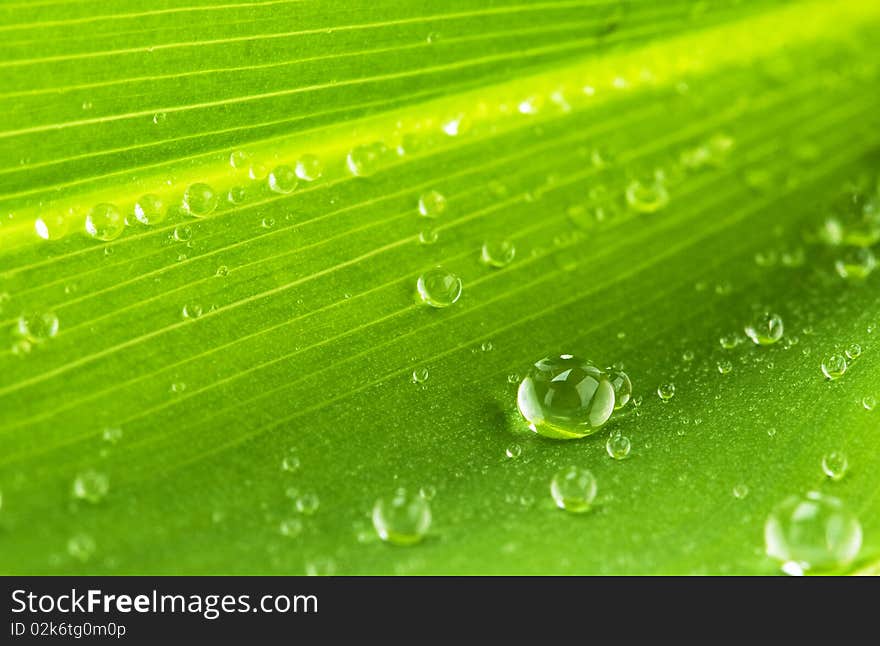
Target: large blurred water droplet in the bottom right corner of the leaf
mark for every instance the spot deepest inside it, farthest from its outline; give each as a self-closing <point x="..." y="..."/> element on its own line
<point x="812" y="532"/>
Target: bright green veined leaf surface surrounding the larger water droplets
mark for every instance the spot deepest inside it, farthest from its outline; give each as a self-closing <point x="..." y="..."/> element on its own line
<point x="194" y="357"/>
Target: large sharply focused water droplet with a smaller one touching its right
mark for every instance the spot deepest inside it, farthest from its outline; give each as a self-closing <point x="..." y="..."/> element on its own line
<point x="565" y="397"/>
